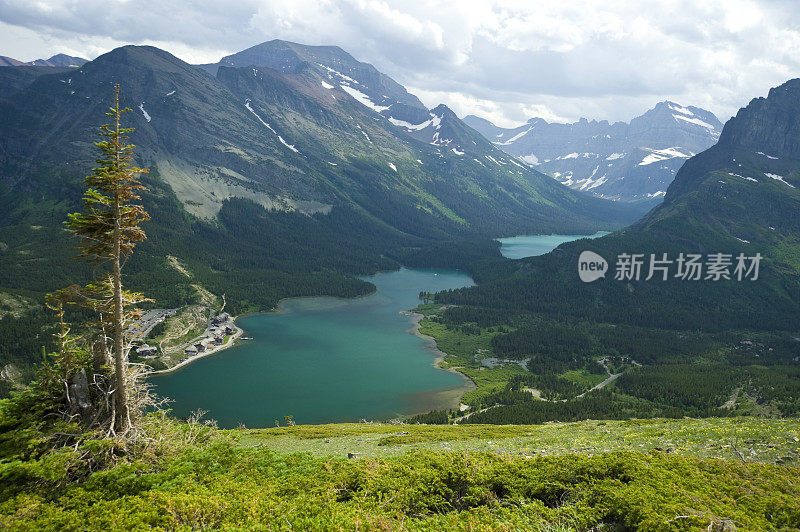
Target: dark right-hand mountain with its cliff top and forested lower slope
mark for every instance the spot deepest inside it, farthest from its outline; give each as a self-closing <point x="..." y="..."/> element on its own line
<point x="742" y="195"/>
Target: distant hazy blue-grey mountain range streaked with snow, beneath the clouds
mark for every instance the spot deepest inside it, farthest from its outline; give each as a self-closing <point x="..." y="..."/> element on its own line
<point x="624" y="161"/>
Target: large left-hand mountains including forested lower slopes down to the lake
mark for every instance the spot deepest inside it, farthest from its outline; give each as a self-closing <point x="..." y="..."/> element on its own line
<point x="283" y="170"/>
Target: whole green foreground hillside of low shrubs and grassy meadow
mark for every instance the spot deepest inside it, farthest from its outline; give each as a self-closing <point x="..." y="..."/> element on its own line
<point x="510" y="478"/>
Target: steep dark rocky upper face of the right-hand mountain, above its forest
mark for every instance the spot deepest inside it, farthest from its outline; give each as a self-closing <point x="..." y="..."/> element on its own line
<point x="754" y="170"/>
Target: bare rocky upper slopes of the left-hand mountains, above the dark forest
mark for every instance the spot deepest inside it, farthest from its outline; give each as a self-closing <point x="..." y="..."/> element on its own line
<point x="297" y="128"/>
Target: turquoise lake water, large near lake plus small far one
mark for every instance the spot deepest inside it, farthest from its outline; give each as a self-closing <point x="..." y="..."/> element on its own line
<point x="323" y="359"/>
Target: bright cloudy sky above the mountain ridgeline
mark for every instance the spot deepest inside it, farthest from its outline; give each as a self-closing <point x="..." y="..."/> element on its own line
<point x="504" y="60"/>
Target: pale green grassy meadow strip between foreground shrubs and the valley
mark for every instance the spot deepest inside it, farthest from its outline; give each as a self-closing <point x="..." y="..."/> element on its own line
<point x="757" y="440"/>
